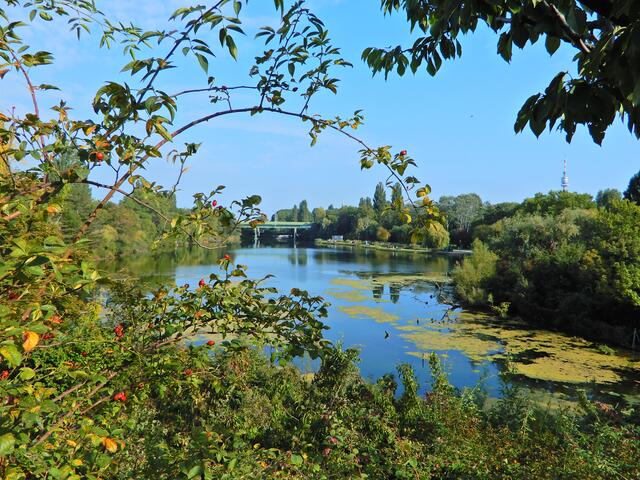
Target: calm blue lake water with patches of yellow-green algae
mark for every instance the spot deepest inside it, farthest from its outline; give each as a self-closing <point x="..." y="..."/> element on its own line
<point x="379" y="304"/>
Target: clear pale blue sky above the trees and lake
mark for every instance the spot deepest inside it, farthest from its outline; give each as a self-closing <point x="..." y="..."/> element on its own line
<point x="458" y="125"/>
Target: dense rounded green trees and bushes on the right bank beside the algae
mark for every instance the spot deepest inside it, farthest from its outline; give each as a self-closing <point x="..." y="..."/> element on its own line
<point x="561" y="259"/>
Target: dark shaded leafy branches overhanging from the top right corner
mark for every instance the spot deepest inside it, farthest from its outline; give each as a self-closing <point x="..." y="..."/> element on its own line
<point x="602" y="32"/>
